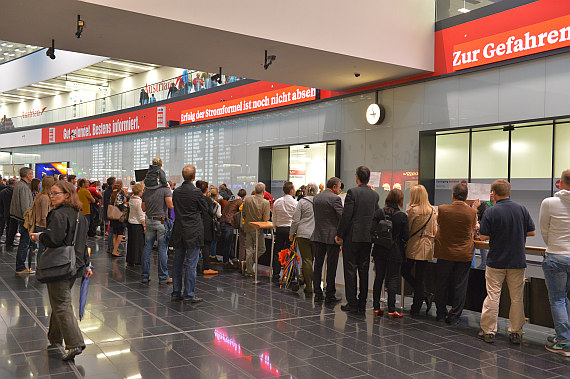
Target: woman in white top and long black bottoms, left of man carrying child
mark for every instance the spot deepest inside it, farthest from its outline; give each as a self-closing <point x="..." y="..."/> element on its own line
<point x="135" y="227"/>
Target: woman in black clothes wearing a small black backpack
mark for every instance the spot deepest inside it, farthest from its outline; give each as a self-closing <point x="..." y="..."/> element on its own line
<point x="387" y="261"/>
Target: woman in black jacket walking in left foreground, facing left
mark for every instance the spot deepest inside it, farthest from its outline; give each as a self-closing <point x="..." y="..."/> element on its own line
<point x="60" y="230"/>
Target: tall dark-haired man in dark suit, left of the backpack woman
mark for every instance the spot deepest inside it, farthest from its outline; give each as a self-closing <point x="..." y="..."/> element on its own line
<point x="354" y="233"/>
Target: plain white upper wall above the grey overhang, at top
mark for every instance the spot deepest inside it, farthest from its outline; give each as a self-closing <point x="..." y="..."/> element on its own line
<point x="398" y="32"/>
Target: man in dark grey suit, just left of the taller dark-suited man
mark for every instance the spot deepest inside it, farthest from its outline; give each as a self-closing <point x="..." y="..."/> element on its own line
<point x="328" y="211"/>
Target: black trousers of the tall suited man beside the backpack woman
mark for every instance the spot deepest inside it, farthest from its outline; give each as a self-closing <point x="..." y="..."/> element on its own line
<point x="356" y="259"/>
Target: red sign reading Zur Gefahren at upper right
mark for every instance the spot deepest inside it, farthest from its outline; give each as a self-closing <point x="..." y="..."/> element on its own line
<point x="531" y="39"/>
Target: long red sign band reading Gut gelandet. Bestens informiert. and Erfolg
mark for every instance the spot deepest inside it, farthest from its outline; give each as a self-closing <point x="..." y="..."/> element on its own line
<point x="241" y="100"/>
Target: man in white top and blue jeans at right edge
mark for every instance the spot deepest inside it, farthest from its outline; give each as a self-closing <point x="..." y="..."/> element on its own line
<point x="555" y="229"/>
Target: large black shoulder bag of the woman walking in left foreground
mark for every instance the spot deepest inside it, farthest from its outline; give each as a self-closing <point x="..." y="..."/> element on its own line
<point x="58" y="263"/>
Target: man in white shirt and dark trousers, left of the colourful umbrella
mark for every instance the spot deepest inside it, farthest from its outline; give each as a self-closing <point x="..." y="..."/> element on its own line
<point x="283" y="210"/>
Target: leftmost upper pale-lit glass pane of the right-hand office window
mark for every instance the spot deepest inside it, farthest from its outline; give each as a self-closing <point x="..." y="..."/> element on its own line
<point x="452" y="156"/>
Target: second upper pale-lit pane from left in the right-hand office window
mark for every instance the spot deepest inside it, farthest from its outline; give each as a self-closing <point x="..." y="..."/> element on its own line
<point x="489" y="154"/>
